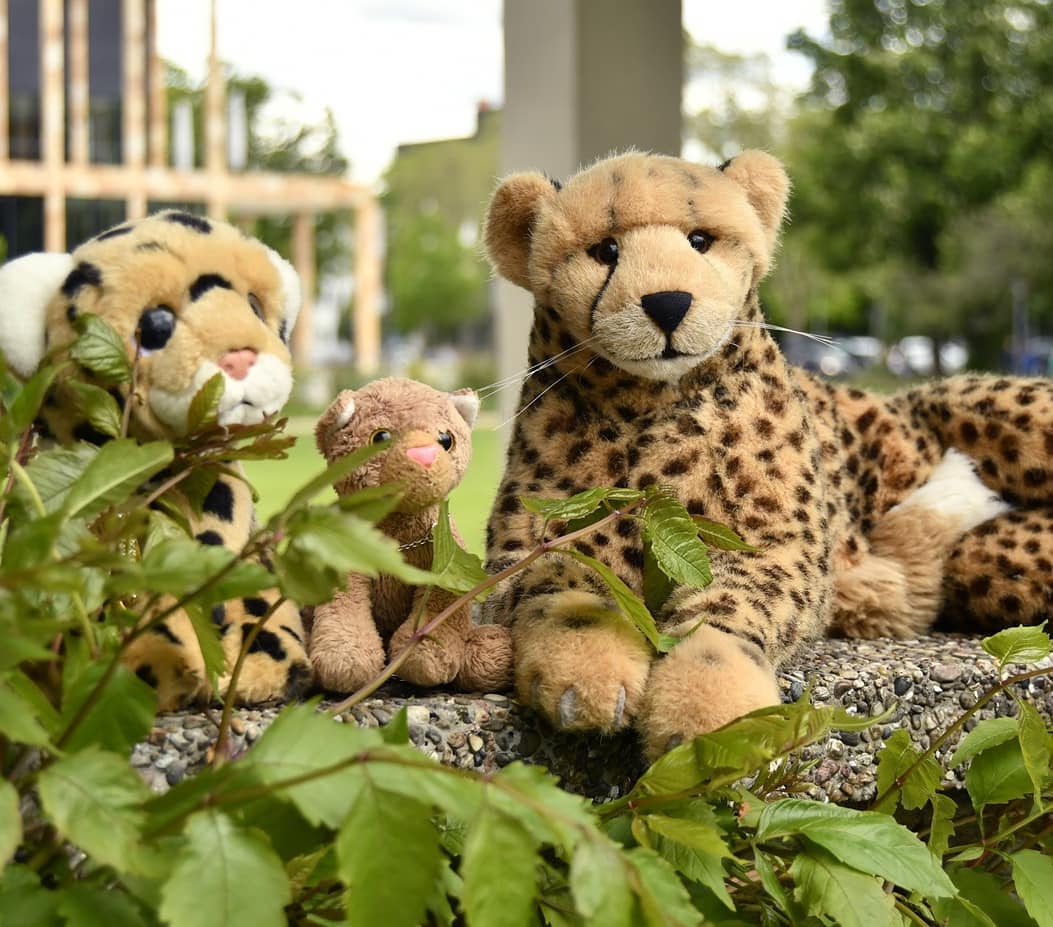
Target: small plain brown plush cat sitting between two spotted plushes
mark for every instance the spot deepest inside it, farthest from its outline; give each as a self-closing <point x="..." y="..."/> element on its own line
<point x="431" y="436"/>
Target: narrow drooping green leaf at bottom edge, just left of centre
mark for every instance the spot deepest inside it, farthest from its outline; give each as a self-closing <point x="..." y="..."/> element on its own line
<point x="500" y="872"/>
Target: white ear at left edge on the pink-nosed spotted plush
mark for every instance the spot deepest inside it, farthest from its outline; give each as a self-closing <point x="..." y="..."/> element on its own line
<point x="28" y="285"/>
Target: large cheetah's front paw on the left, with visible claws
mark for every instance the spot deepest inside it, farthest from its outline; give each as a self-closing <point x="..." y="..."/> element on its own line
<point x="579" y="662"/>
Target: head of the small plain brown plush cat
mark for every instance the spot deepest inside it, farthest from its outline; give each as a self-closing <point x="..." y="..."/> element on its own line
<point x="430" y="433"/>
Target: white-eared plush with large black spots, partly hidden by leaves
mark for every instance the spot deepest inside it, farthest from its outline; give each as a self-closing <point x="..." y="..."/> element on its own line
<point x="193" y="298"/>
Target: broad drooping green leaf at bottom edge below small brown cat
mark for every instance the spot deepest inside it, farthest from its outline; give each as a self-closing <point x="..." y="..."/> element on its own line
<point x="385" y="835"/>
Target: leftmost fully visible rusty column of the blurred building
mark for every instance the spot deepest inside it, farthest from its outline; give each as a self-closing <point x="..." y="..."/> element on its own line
<point x="53" y="123"/>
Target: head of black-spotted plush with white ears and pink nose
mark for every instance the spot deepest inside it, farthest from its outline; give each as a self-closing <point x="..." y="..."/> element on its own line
<point x="191" y="298"/>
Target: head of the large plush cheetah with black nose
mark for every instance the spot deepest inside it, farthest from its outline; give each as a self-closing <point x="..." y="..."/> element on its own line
<point x="647" y="259"/>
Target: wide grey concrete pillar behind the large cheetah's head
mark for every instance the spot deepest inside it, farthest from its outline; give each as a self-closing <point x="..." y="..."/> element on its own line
<point x="583" y="78"/>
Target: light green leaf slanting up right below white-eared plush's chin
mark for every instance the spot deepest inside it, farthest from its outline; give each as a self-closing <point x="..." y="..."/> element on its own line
<point x="121" y="467"/>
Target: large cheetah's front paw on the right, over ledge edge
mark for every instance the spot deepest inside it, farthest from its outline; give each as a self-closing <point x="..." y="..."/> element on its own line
<point x="707" y="681"/>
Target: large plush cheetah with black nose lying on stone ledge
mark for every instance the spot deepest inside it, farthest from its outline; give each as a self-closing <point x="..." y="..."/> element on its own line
<point x="865" y="508"/>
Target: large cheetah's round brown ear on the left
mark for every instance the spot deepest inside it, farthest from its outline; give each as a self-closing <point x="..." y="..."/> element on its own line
<point x="510" y="224"/>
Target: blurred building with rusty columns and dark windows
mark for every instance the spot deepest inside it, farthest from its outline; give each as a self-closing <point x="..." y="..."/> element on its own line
<point x="85" y="145"/>
